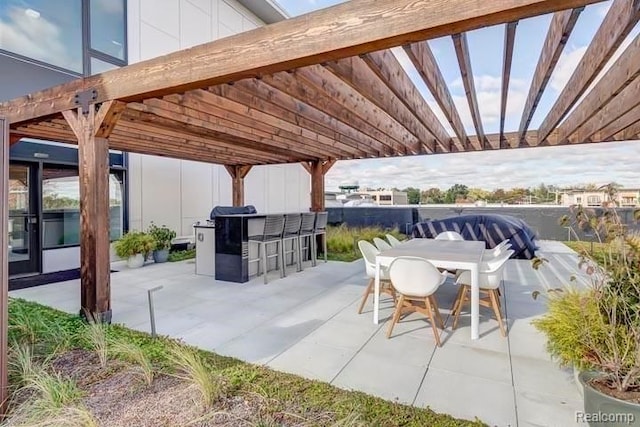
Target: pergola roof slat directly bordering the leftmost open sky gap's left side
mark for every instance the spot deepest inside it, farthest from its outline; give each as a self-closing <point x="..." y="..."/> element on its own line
<point x="388" y="68"/>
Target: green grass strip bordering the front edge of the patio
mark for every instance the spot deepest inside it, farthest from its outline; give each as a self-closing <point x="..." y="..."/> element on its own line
<point x="313" y="402"/>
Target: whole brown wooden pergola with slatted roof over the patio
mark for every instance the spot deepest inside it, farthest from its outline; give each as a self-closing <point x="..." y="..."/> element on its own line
<point x="316" y="89"/>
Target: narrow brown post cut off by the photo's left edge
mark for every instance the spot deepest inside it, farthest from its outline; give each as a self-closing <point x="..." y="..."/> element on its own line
<point x="4" y="260"/>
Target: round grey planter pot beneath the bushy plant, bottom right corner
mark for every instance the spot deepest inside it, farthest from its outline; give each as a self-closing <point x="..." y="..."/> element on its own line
<point x="601" y="410"/>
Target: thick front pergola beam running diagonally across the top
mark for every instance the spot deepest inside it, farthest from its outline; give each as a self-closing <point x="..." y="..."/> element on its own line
<point x="348" y="29"/>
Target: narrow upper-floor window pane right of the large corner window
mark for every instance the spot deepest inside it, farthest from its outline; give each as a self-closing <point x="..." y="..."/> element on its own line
<point x="107" y="27"/>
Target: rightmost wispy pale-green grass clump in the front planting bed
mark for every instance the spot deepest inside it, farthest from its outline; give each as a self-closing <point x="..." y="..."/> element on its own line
<point x="191" y="367"/>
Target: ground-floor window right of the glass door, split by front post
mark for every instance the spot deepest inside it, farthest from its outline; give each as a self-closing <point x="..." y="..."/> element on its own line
<point x="61" y="206"/>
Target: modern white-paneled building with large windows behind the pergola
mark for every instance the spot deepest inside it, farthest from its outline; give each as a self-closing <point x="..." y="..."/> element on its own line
<point x="48" y="42"/>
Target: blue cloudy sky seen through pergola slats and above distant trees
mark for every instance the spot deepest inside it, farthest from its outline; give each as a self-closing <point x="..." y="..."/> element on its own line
<point x="589" y="163"/>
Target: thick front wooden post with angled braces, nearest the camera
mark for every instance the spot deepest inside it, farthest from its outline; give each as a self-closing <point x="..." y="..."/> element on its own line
<point x="92" y="128"/>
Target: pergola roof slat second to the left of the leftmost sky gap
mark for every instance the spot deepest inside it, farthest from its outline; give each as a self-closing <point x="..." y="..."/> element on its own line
<point x="355" y="72"/>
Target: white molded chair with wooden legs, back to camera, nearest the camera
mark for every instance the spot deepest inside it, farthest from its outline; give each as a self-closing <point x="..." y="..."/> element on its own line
<point x="416" y="280"/>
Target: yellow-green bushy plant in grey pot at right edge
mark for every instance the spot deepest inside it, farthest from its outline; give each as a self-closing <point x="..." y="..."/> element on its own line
<point x="597" y="328"/>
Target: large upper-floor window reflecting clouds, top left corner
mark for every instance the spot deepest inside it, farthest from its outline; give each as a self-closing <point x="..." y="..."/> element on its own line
<point x="45" y="30"/>
